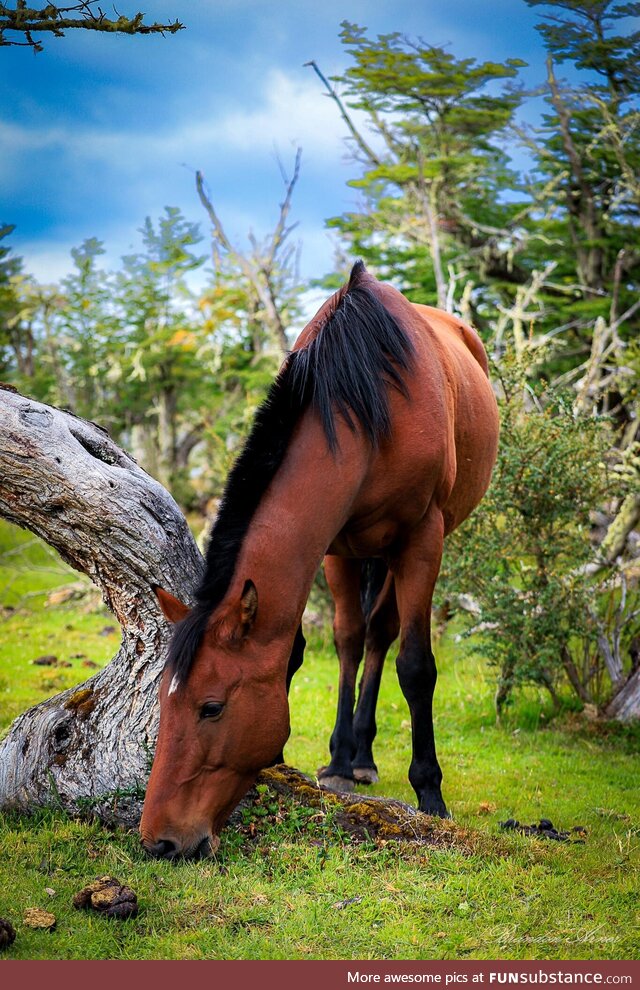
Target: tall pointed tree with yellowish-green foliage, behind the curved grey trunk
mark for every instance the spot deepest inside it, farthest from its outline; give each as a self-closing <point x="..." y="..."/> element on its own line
<point x="158" y="355"/>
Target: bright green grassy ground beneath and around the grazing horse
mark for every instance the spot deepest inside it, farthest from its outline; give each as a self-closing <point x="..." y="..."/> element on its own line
<point x="289" y="885"/>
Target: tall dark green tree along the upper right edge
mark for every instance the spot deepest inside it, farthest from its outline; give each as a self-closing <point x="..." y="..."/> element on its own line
<point x="586" y="156"/>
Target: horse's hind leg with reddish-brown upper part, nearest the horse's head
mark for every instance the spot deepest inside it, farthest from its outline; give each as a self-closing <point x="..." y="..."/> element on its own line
<point x="343" y="578"/>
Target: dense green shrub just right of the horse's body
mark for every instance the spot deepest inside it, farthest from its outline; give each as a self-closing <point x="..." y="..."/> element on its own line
<point x="523" y="555"/>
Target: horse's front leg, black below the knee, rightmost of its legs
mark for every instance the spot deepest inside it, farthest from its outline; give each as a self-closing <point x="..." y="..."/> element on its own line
<point x="416" y="570"/>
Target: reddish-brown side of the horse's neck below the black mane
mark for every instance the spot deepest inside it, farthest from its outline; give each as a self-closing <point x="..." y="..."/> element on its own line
<point x="305" y="506"/>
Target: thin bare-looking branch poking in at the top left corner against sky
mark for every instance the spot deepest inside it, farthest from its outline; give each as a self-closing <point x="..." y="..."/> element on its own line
<point x="55" y="20"/>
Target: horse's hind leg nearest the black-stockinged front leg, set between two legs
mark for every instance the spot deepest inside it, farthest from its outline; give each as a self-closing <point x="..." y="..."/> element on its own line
<point x="382" y="628"/>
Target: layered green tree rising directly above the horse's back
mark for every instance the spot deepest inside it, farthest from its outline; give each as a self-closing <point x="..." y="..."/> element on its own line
<point x="433" y="171"/>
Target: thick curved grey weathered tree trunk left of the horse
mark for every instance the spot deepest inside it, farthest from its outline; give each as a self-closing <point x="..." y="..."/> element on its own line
<point x="67" y="481"/>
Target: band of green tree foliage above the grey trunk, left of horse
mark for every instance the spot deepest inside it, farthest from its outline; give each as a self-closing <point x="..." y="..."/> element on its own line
<point x="174" y="378"/>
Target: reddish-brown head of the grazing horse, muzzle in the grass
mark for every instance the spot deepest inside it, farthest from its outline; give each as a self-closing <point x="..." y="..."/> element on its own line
<point x="221" y="722"/>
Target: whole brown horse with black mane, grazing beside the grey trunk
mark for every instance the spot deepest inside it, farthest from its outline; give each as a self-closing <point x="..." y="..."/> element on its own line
<point x="377" y="439"/>
